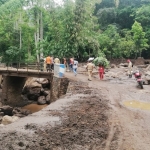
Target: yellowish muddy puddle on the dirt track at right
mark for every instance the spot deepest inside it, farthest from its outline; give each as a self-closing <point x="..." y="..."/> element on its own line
<point x="137" y="104"/>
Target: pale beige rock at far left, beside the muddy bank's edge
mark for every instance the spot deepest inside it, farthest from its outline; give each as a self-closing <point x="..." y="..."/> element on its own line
<point x="8" y="119"/>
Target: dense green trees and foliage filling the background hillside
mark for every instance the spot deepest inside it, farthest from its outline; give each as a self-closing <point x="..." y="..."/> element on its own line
<point x="30" y="29"/>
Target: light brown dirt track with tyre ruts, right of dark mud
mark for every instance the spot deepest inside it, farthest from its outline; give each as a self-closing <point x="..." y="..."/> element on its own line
<point x="129" y="127"/>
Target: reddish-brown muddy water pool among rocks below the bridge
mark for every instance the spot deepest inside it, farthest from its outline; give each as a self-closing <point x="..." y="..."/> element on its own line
<point x="34" y="107"/>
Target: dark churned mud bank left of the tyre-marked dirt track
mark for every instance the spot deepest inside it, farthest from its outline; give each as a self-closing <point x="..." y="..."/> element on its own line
<point x="82" y="123"/>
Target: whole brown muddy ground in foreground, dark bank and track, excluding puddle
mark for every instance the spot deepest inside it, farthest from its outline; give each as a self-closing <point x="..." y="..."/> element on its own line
<point x="90" y="117"/>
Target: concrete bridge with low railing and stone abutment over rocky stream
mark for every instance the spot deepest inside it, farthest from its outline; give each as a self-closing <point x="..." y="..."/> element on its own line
<point x="14" y="80"/>
